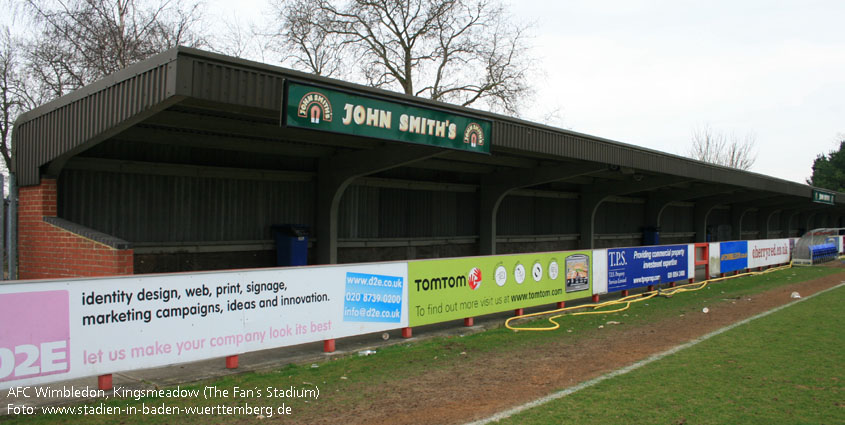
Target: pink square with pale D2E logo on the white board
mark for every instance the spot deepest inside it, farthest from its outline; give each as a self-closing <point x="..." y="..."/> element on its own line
<point x="35" y="334"/>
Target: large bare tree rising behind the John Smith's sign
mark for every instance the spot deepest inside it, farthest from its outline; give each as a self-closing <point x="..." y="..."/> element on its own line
<point x="459" y="51"/>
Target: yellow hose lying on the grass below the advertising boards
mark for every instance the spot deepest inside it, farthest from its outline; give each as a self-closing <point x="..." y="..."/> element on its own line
<point x="630" y="299"/>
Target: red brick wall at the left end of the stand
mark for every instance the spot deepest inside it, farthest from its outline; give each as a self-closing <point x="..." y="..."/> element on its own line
<point x="46" y="251"/>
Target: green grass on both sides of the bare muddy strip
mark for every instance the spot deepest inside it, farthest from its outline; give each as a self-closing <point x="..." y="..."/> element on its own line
<point x="785" y="368"/>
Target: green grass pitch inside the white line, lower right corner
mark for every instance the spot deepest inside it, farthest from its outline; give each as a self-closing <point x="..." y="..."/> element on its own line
<point x="785" y="368"/>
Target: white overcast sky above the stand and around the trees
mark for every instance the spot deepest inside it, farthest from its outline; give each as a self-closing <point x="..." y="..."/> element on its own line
<point x="648" y="73"/>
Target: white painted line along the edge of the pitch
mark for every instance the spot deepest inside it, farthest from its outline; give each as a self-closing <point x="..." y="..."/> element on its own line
<point x="563" y="393"/>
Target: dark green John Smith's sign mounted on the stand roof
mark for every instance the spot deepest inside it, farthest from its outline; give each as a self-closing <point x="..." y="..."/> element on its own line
<point x="318" y="108"/>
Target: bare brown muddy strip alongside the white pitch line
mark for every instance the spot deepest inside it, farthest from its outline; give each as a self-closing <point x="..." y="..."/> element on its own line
<point x="459" y="394"/>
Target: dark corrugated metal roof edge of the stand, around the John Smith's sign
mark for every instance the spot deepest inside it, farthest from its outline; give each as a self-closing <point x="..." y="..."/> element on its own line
<point x="73" y="123"/>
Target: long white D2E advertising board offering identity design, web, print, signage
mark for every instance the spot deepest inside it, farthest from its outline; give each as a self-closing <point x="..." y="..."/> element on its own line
<point x="57" y="330"/>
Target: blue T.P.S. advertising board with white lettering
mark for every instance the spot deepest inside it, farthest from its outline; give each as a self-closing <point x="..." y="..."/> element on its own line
<point x="648" y="265"/>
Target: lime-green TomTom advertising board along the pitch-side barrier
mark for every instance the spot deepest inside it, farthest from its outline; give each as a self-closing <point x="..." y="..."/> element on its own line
<point x="450" y="289"/>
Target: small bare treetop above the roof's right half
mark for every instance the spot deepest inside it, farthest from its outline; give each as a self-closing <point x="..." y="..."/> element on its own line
<point x="715" y="147"/>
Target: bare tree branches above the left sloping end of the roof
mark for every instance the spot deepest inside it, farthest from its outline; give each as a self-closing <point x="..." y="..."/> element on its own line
<point x="81" y="41"/>
